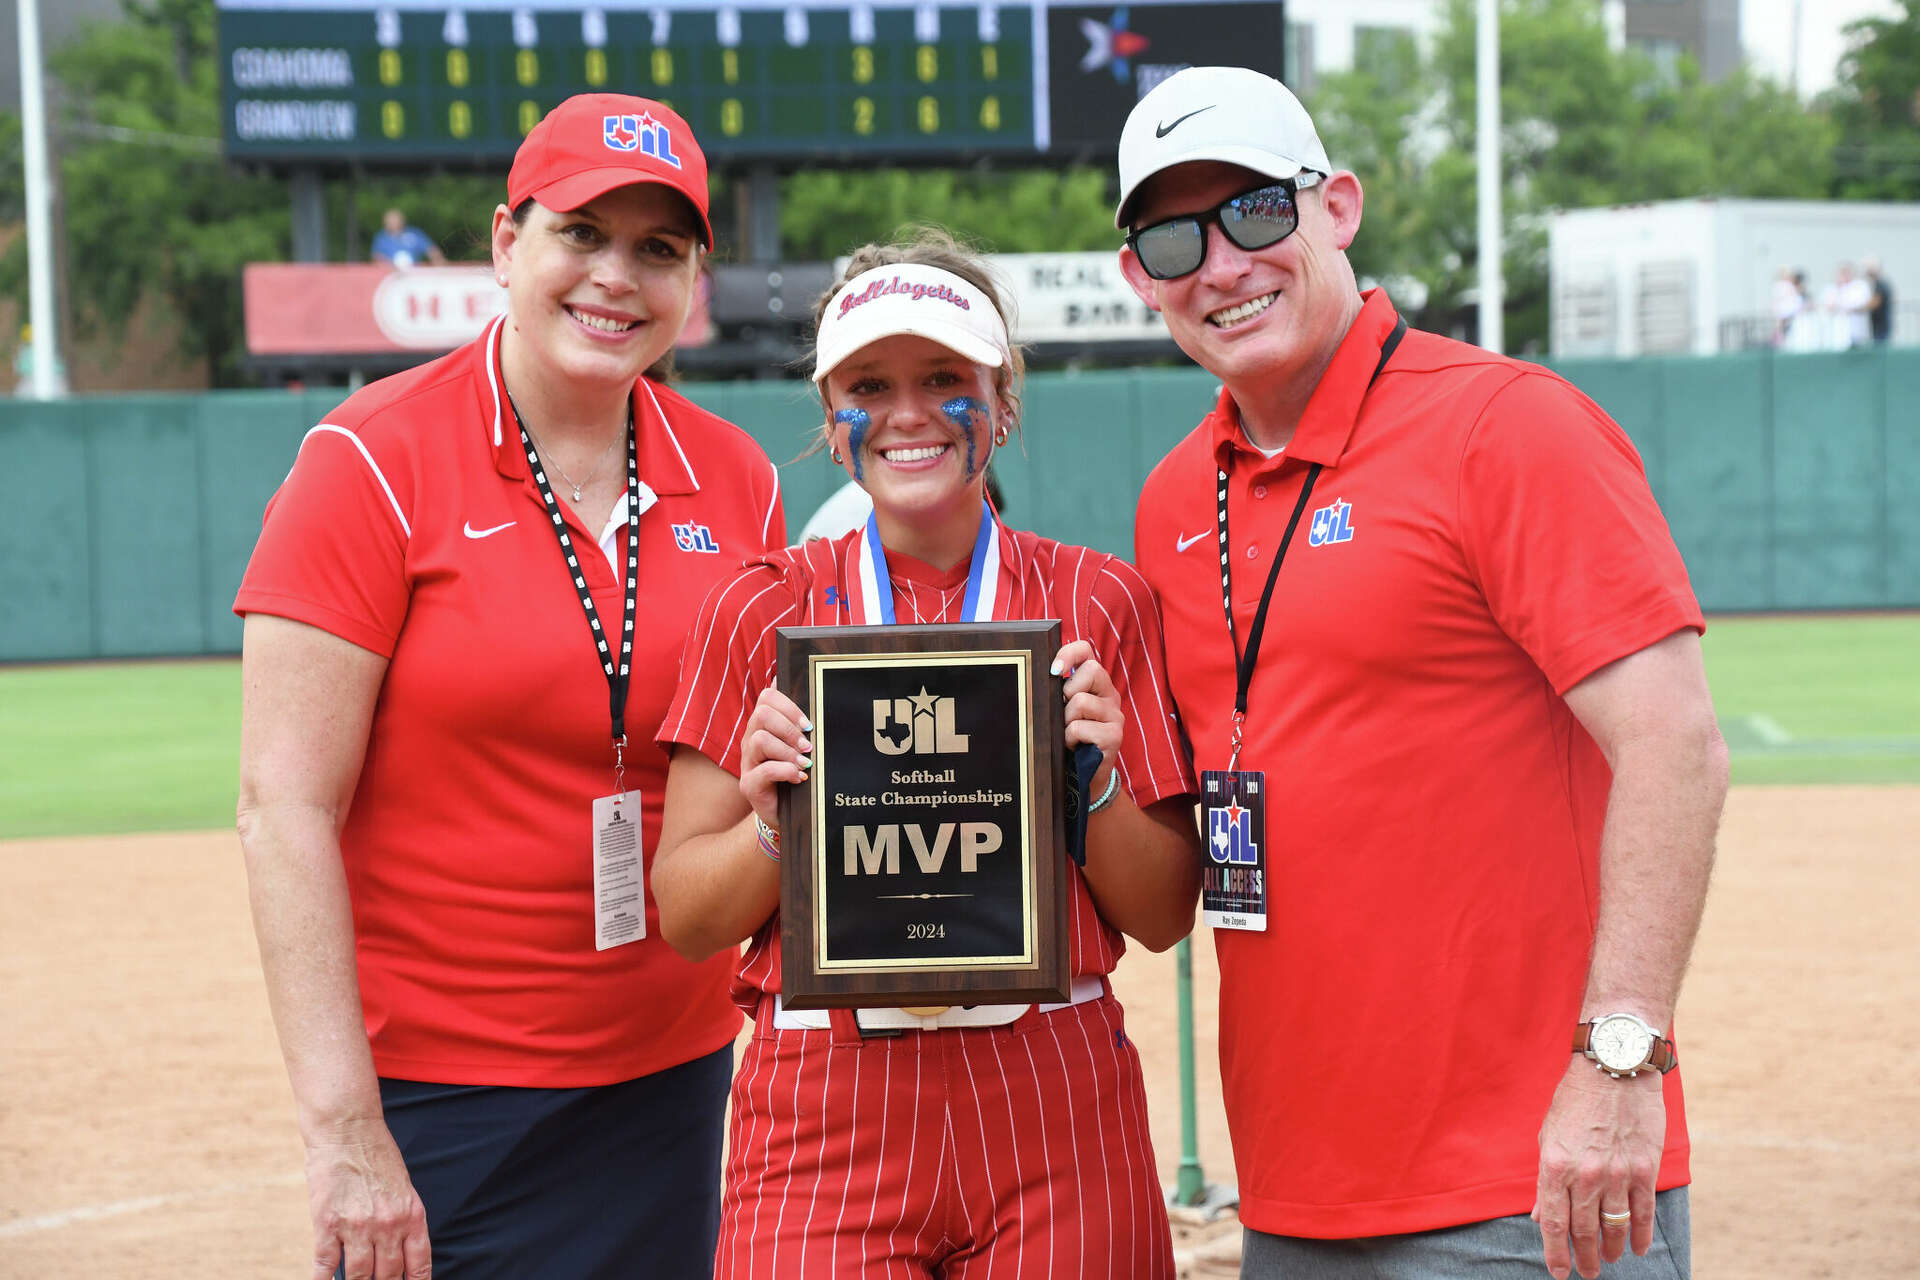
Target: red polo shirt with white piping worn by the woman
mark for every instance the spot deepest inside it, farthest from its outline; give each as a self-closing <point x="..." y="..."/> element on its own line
<point x="412" y="527"/>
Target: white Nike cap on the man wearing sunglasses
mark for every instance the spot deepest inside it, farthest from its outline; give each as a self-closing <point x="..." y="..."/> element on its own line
<point x="1228" y="114"/>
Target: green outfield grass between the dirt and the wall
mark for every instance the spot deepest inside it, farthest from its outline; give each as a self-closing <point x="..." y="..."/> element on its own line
<point x="155" y="746"/>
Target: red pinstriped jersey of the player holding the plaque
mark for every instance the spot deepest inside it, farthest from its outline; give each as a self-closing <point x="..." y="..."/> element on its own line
<point x="1097" y="598"/>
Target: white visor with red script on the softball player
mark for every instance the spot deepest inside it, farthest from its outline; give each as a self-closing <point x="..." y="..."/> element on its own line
<point x="909" y="298"/>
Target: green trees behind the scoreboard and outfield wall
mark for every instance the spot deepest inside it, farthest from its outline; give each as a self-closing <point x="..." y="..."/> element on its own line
<point x="153" y="210"/>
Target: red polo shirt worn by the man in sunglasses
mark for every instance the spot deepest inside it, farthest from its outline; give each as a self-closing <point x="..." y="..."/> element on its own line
<point x="1481" y="540"/>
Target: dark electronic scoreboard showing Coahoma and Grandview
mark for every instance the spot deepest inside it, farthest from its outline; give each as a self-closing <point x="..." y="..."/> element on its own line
<point x="408" y="82"/>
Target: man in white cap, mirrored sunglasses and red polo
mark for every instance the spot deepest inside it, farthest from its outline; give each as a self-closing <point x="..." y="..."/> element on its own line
<point x="1439" y="663"/>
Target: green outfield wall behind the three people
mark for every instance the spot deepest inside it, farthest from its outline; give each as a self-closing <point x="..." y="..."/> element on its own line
<point x="1790" y="483"/>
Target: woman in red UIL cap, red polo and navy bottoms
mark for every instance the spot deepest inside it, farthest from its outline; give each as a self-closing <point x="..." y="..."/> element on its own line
<point x="450" y="790"/>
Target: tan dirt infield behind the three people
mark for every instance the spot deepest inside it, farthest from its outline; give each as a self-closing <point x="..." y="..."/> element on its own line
<point x="147" y="1127"/>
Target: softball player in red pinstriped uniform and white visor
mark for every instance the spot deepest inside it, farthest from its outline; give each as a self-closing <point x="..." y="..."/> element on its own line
<point x="898" y="1143"/>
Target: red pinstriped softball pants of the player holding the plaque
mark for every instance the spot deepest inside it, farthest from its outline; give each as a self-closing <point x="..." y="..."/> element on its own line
<point x="963" y="1154"/>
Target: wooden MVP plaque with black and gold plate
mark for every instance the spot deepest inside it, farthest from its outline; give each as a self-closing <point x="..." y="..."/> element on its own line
<point x="926" y="855"/>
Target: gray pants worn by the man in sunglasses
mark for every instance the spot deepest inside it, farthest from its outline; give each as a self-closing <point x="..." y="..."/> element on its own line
<point x="1497" y="1250"/>
